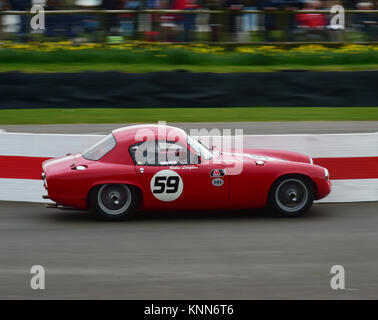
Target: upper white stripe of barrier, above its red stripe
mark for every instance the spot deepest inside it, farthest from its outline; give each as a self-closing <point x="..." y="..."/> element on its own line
<point x="320" y="145"/>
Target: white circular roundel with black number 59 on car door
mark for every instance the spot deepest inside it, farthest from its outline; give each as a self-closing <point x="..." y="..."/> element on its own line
<point x="166" y="185"/>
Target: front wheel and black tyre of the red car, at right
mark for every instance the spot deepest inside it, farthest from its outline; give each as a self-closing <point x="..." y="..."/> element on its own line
<point x="292" y="196"/>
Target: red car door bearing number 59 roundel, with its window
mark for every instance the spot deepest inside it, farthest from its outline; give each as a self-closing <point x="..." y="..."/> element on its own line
<point x="179" y="184"/>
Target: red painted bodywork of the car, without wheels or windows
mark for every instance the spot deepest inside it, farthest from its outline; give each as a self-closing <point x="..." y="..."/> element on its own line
<point x="204" y="184"/>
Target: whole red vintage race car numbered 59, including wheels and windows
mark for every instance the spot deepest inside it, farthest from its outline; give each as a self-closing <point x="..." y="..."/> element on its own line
<point x="147" y="167"/>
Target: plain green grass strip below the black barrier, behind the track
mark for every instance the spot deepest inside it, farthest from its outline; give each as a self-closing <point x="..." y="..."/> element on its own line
<point x="146" y="115"/>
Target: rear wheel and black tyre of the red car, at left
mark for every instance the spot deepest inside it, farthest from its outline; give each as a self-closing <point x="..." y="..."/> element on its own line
<point x="114" y="201"/>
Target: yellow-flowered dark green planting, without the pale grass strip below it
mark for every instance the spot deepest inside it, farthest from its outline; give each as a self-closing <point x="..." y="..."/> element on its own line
<point x="199" y="55"/>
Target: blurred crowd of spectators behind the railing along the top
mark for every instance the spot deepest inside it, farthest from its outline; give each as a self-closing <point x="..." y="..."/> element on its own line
<point x="182" y="27"/>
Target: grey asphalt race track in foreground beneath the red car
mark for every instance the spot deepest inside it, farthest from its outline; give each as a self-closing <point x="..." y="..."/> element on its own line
<point x="190" y="255"/>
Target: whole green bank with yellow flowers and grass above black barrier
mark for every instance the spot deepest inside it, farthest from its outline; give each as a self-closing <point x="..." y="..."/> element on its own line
<point x="137" y="57"/>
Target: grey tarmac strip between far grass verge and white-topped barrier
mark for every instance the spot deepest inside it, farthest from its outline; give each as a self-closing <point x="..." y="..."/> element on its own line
<point x="310" y="127"/>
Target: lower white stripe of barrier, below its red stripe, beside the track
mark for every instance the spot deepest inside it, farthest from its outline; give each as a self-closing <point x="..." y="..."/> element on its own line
<point x="342" y="190"/>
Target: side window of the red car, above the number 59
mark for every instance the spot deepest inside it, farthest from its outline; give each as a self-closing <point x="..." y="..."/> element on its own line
<point x="159" y="153"/>
